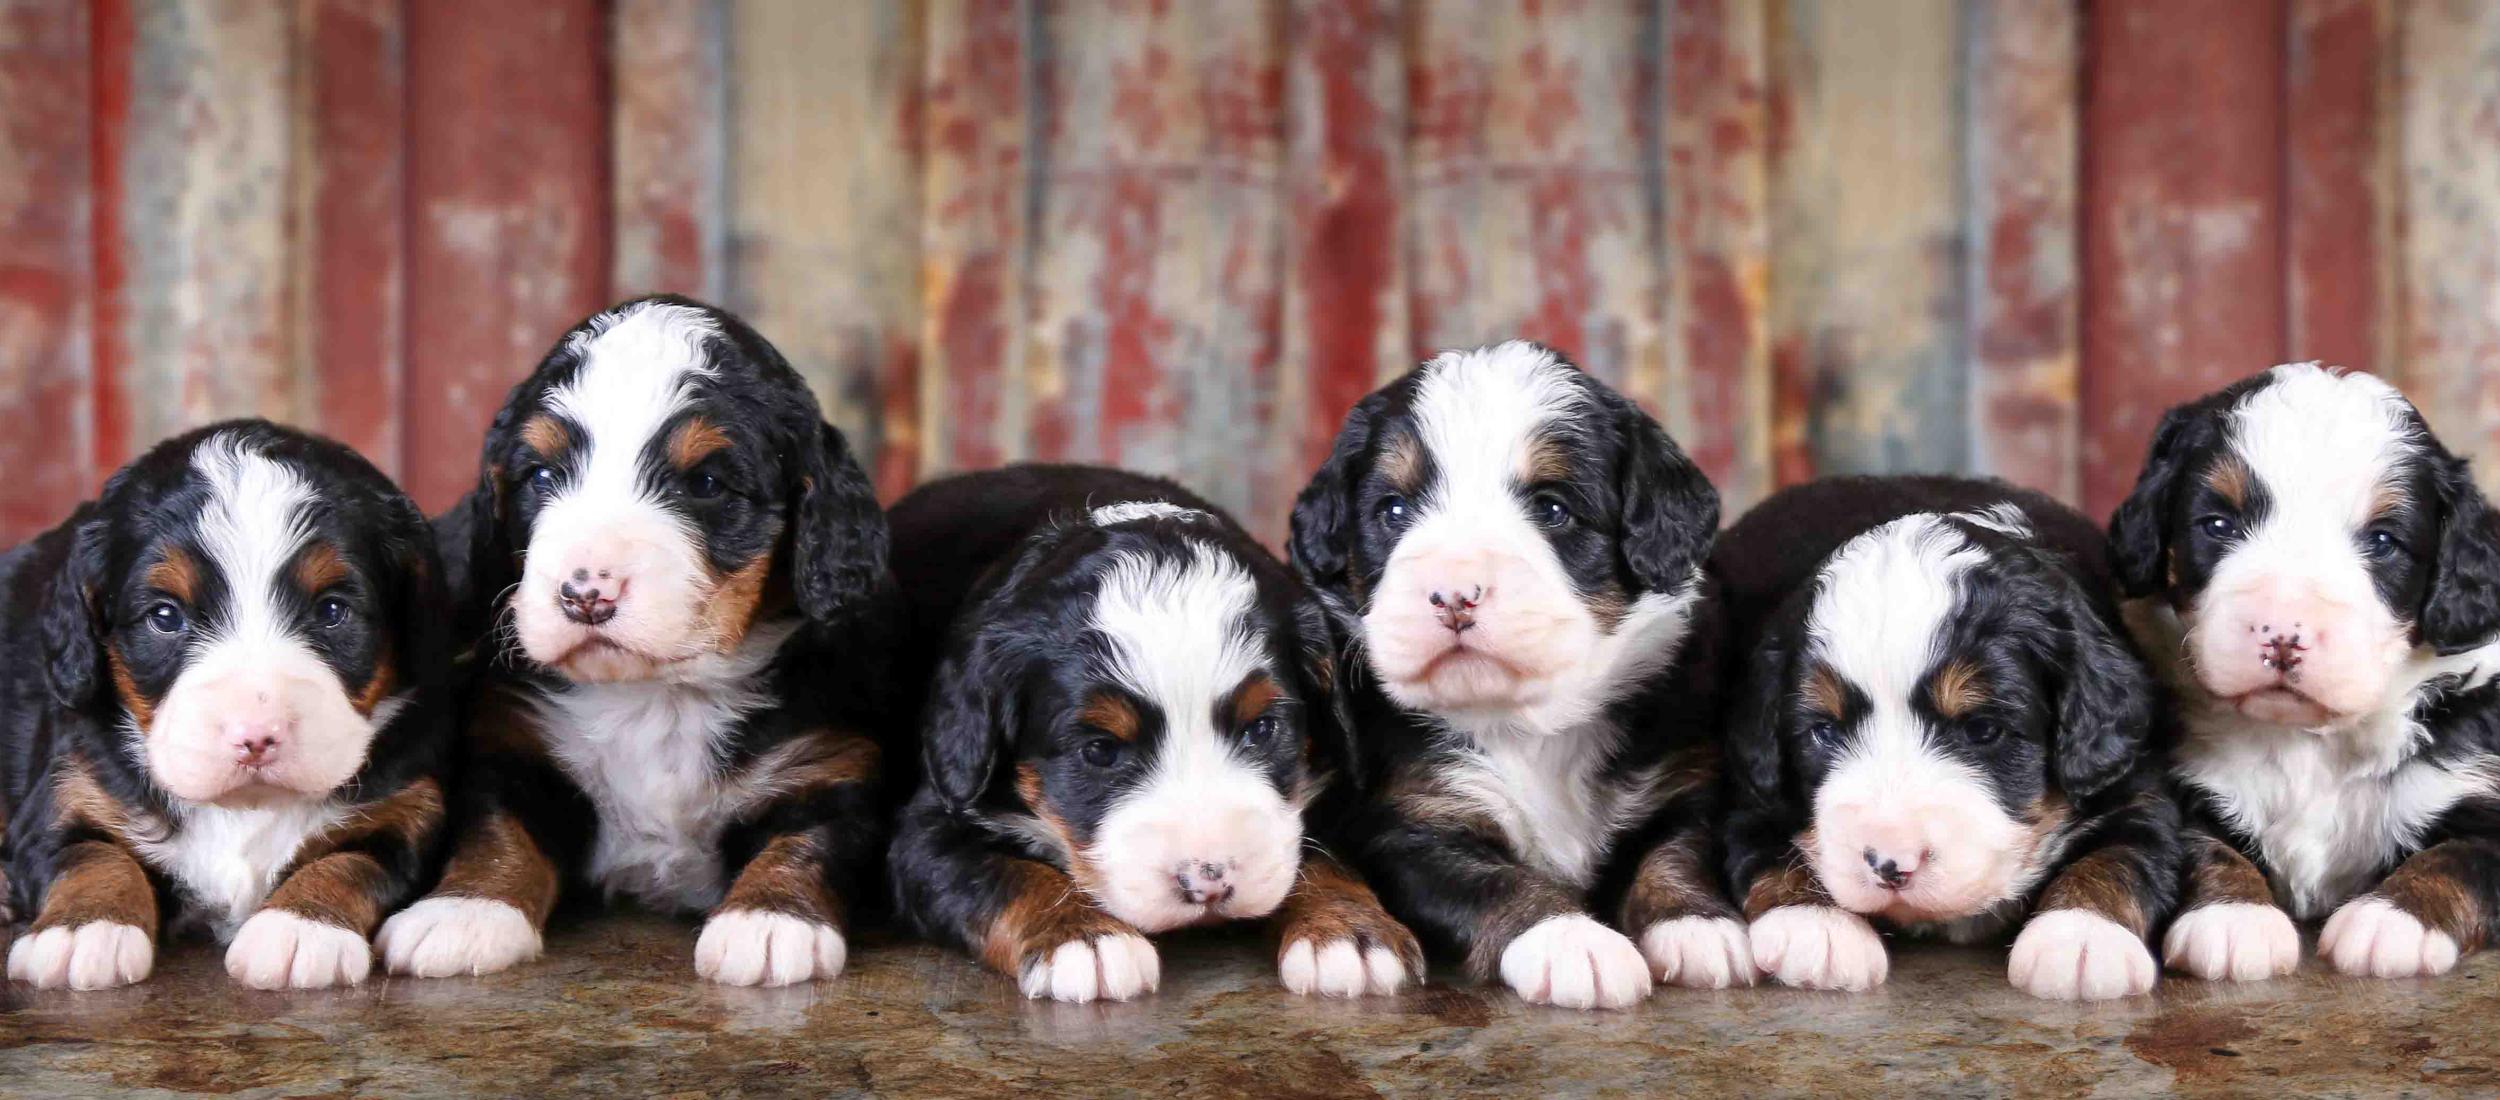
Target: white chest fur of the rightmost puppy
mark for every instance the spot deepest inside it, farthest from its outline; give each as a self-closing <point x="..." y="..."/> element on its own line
<point x="2324" y="819"/>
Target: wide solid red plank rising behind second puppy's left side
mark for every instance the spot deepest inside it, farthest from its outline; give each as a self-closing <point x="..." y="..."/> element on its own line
<point x="504" y="249"/>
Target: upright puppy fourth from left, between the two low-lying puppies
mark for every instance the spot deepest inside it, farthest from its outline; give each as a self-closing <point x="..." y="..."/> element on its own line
<point x="1516" y="554"/>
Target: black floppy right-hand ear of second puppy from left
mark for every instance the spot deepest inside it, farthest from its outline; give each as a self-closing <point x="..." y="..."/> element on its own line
<point x="839" y="549"/>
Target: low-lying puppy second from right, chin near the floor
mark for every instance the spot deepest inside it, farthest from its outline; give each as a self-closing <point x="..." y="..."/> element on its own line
<point x="1941" y="731"/>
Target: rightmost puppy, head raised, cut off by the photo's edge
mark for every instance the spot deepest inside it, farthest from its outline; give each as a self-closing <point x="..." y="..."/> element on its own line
<point x="2321" y="584"/>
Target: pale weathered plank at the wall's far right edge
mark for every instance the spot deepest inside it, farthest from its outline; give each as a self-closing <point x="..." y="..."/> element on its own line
<point x="2451" y="191"/>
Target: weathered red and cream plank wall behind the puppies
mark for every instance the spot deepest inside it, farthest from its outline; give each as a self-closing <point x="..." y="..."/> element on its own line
<point x="1186" y="234"/>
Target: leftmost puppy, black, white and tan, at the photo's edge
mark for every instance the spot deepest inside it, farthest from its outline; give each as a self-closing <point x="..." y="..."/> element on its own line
<point x="224" y="711"/>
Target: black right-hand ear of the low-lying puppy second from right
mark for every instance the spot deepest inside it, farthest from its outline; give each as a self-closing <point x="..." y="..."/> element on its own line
<point x="2104" y="696"/>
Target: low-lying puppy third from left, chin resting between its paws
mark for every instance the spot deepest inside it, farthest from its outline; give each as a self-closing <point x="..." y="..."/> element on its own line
<point x="1129" y="711"/>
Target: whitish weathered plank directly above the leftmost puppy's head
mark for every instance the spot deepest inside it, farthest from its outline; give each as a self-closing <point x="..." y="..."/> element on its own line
<point x="201" y="229"/>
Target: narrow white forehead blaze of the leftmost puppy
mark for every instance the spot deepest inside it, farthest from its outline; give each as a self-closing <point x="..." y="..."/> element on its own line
<point x="251" y="529"/>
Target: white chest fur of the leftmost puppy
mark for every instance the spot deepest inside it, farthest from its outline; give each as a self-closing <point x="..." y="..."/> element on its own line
<point x="229" y="861"/>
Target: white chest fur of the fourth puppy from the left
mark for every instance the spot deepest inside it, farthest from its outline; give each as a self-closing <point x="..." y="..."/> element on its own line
<point x="1546" y="796"/>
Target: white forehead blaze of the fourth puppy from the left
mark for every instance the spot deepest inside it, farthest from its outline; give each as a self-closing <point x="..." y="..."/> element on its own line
<point x="1479" y="416"/>
